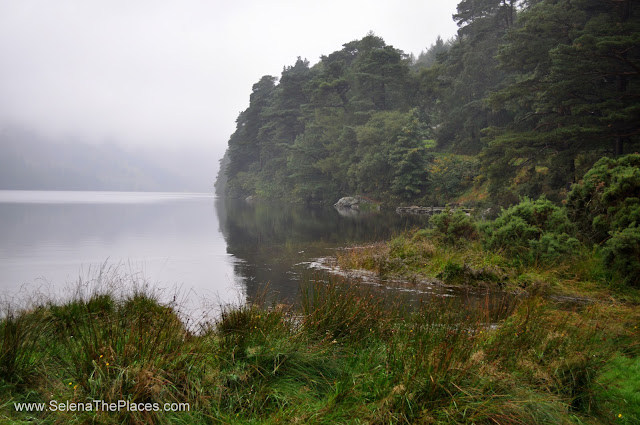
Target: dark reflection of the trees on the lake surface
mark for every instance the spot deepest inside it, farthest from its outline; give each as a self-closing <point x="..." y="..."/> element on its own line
<point x="276" y="242"/>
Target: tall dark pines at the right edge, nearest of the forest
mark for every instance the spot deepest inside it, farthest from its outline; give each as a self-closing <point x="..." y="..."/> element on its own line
<point x="571" y="91"/>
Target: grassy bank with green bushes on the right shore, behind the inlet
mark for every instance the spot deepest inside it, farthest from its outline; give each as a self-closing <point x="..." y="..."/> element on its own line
<point x="531" y="247"/>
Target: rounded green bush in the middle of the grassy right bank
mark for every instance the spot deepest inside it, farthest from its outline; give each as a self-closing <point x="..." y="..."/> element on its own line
<point x="532" y="231"/>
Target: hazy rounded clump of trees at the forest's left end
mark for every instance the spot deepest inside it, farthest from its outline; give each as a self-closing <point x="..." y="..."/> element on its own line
<point x="340" y="127"/>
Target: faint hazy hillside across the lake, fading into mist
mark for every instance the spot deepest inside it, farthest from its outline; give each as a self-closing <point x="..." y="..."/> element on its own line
<point x="29" y="161"/>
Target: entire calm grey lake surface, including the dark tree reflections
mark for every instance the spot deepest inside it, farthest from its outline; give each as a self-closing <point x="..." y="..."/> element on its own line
<point x="210" y="249"/>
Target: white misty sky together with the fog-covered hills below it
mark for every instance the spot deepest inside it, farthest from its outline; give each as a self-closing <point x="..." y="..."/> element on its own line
<point x="158" y="85"/>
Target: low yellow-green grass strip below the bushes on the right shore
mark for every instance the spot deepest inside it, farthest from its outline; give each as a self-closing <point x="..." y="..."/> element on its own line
<point x="421" y="255"/>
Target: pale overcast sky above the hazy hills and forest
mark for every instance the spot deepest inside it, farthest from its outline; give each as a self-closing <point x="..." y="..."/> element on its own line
<point x="176" y="73"/>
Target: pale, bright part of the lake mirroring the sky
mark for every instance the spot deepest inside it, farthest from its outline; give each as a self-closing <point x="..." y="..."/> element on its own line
<point x="172" y="240"/>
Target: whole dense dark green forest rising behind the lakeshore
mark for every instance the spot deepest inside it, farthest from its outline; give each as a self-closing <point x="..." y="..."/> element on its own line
<point x="522" y="102"/>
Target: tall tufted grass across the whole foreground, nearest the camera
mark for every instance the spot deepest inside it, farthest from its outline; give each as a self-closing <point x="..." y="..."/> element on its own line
<point x="341" y="357"/>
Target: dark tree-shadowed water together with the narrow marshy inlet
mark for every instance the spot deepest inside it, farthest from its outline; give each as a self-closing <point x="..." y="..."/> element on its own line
<point x="276" y="244"/>
